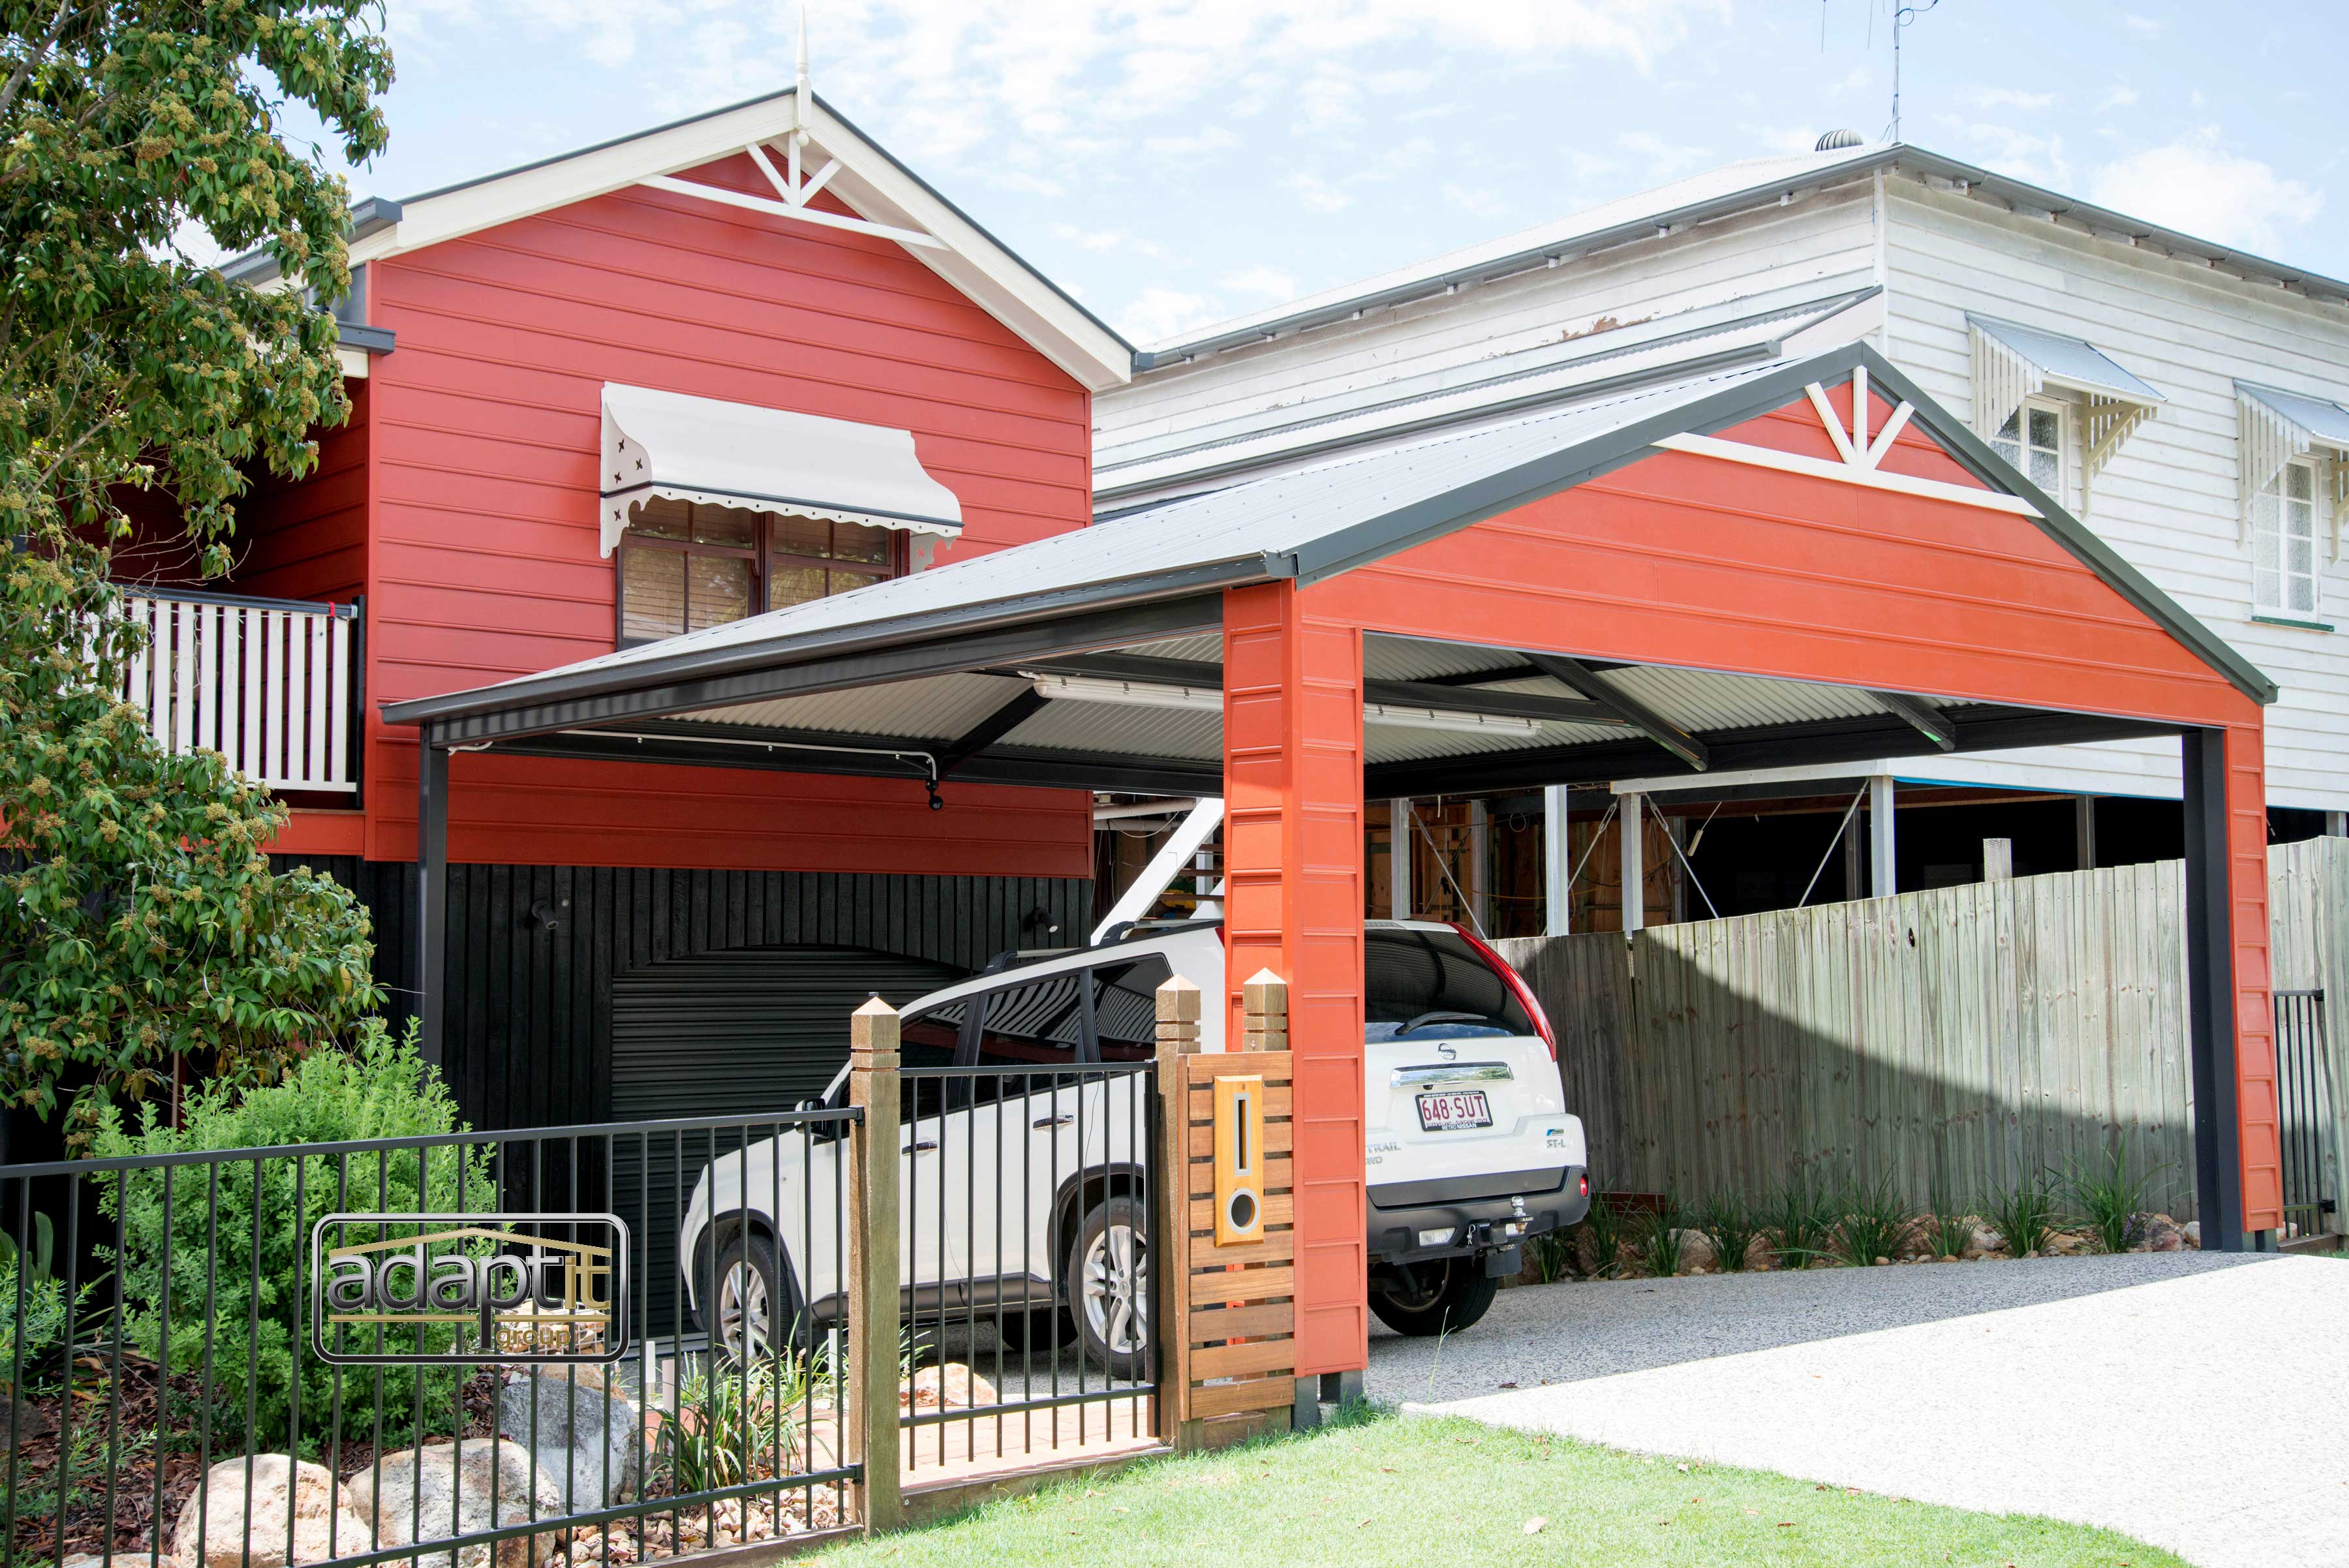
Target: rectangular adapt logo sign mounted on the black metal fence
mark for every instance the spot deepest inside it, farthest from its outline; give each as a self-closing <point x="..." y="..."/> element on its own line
<point x="499" y="1287"/>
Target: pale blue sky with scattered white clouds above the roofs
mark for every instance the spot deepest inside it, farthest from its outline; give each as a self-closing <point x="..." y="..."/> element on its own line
<point x="1173" y="163"/>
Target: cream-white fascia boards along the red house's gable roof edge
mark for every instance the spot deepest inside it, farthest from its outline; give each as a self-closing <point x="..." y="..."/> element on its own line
<point x="868" y="182"/>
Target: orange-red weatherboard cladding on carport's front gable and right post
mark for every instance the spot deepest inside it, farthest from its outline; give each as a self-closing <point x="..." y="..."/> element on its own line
<point x="1683" y="560"/>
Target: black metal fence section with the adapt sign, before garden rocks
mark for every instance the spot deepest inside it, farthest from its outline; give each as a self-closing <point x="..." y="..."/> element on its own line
<point x="180" y="1381"/>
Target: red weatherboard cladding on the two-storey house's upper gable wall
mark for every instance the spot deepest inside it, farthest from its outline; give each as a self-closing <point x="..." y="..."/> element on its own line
<point x="485" y="508"/>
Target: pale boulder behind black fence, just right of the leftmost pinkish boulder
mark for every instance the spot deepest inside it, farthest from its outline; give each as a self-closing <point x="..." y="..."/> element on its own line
<point x="450" y="1494"/>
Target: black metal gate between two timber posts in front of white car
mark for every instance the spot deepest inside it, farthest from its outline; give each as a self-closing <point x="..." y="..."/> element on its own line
<point x="1025" y="1262"/>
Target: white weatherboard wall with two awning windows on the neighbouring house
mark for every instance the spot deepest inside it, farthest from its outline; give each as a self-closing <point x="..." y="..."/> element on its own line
<point x="2169" y="501"/>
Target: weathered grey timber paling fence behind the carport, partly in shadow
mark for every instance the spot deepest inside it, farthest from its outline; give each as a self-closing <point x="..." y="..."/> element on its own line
<point x="1956" y="1039"/>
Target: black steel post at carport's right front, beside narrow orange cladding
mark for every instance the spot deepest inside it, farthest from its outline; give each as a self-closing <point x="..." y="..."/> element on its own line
<point x="2219" y="1128"/>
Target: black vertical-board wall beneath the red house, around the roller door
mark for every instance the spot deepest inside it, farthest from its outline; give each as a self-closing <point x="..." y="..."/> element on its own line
<point x="530" y="1003"/>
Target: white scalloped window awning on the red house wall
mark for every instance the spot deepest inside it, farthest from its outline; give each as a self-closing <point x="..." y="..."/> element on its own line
<point x="762" y="461"/>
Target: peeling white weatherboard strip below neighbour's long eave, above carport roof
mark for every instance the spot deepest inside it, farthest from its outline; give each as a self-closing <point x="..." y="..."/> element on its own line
<point x="1772" y="257"/>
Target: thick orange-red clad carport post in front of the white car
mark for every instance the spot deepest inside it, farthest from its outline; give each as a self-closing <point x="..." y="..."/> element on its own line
<point x="1293" y="863"/>
